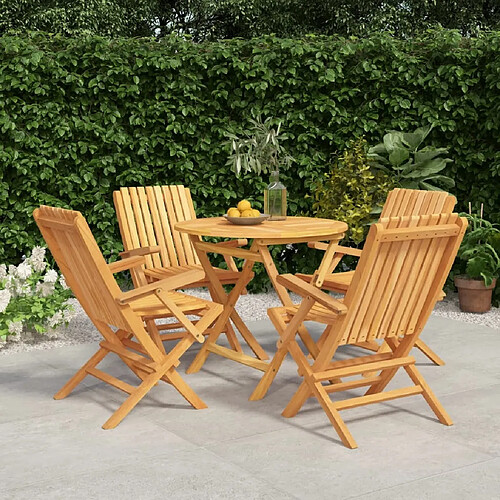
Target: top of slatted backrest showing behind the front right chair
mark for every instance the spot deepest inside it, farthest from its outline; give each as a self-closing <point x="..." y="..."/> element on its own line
<point x="401" y="202"/>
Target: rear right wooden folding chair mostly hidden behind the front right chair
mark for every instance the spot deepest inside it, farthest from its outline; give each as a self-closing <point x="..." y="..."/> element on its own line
<point x="400" y="202"/>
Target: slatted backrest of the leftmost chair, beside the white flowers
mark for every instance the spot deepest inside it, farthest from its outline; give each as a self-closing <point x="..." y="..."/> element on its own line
<point x="81" y="262"/>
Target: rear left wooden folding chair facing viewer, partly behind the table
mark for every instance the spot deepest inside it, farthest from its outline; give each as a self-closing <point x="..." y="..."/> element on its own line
<point x="147" y="216"/>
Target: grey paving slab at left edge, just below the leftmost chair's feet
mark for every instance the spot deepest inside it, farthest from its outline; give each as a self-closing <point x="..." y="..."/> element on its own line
<point x="60" y="445"/>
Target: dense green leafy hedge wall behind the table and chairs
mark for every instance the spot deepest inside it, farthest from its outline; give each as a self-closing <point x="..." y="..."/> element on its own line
<point x="81" y="117"/>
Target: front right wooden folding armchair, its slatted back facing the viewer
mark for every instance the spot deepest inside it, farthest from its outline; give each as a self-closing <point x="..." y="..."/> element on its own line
<point x="396" y="284"/>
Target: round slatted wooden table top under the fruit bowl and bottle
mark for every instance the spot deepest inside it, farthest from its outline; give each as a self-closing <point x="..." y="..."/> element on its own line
<point x="289" y="229"/>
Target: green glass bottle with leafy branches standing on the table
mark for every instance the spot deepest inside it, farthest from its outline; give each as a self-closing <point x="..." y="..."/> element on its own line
<point x="260" y="151"/>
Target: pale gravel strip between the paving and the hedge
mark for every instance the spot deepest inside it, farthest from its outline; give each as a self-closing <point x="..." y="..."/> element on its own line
<point x="250" y="307"/>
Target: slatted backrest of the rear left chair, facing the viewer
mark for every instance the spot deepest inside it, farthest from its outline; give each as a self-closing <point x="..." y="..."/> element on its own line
<point x="147" y="215"/>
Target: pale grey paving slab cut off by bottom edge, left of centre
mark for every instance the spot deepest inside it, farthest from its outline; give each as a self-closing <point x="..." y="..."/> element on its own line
<point x="180" y="475"/>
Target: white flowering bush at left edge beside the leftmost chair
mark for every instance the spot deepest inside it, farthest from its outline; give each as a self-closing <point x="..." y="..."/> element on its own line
<point x="33" y="298"/>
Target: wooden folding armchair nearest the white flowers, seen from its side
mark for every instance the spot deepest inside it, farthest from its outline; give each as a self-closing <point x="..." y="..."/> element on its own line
<point x="121" y="317"/>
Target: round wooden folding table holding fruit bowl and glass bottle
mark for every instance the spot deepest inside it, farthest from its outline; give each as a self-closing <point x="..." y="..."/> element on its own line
<point x="290" y="230"/>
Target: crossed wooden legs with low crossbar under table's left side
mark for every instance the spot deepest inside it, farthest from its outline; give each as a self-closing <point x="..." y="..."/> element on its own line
<point x="229" y="312"/>
